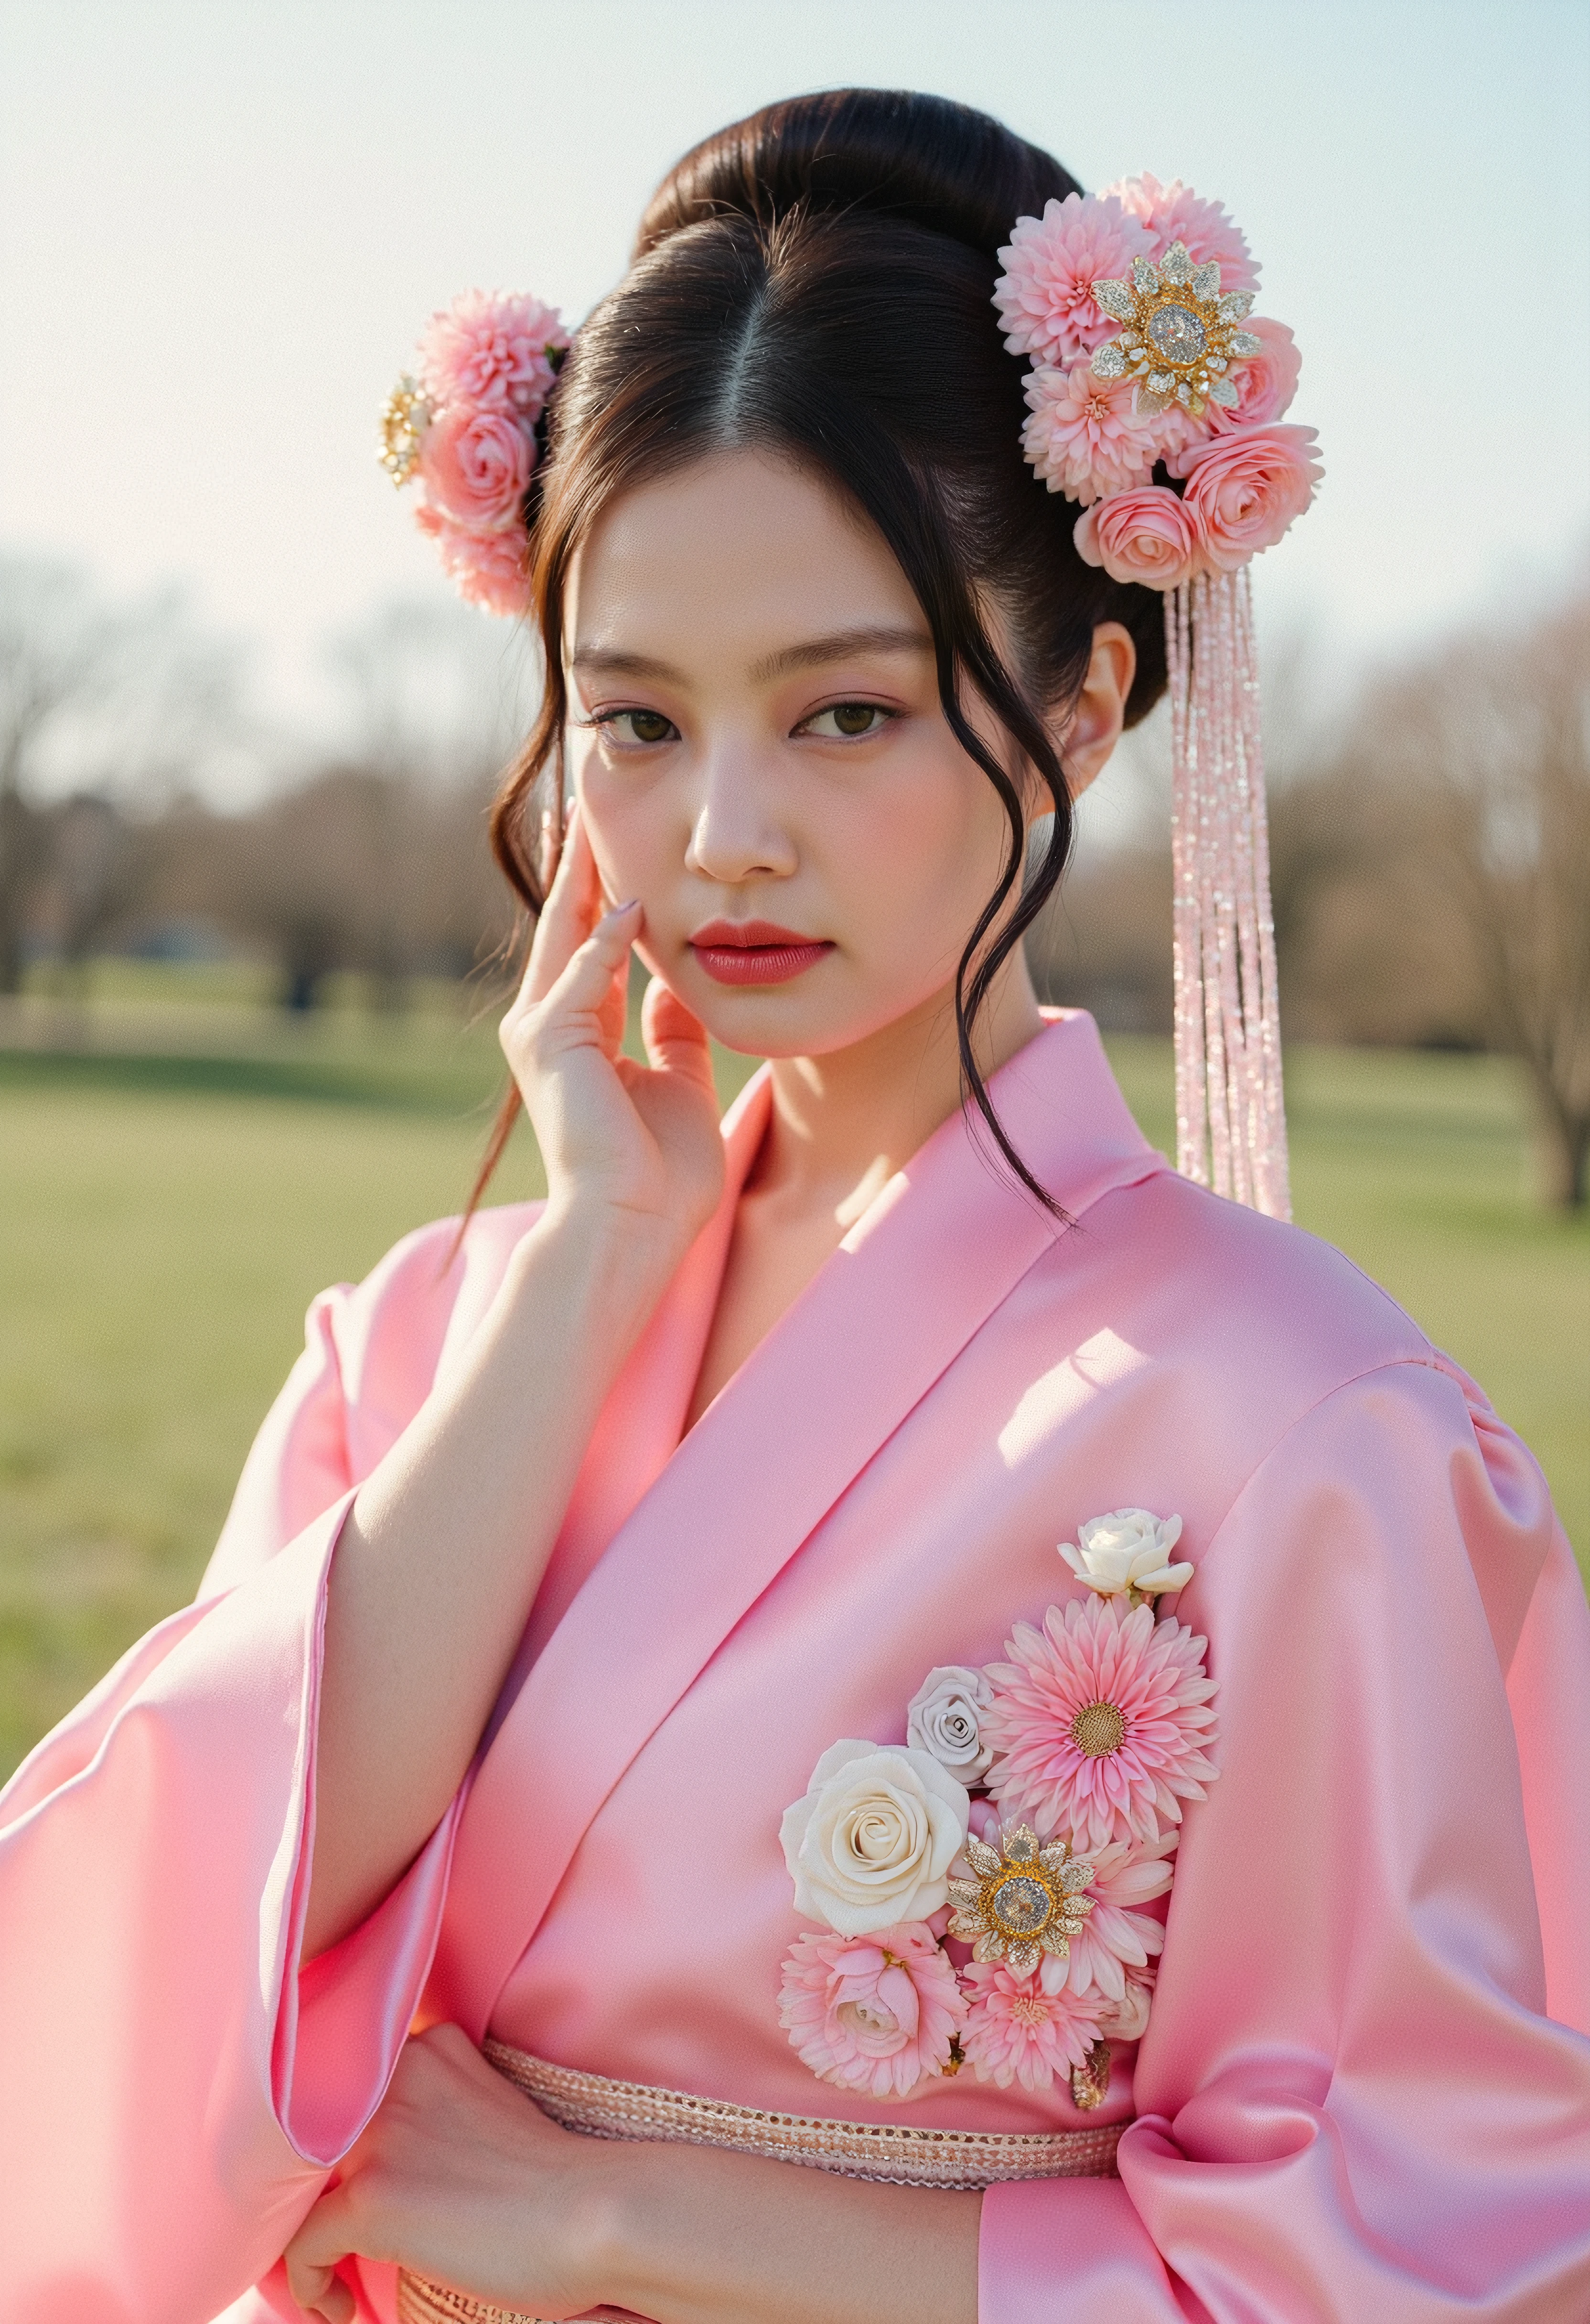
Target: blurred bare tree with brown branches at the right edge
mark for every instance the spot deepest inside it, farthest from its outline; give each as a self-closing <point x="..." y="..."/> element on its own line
<point x="1494" y="747"/>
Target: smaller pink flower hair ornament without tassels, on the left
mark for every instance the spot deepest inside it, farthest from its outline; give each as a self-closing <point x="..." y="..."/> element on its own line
<point x="464" y="429"/>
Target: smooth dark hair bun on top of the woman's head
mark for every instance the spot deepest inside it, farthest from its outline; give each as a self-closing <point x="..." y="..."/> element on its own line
<point x="926" y="162"/>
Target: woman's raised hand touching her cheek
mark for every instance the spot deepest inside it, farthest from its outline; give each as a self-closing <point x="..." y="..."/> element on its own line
<point x="640" y="1142"/>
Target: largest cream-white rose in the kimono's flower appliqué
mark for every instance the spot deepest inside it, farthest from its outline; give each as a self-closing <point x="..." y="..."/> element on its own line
<point x="875" y="1837"/>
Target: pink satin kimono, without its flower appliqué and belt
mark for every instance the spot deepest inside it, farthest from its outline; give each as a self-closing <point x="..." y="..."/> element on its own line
<point x="1366" y="2086"/>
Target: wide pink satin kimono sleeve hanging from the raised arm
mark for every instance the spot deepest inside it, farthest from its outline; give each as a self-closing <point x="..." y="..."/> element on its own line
<point x="171" y="2083"/>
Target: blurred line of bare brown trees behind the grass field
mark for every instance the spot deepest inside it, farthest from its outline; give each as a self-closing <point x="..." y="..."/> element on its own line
<point x="1431" y="842"/>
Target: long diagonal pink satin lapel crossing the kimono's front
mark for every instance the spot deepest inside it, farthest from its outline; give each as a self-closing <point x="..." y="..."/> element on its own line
<point x="910" y="1286"/>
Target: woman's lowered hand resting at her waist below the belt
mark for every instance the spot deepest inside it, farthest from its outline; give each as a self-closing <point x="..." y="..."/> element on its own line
<point x="466" y="2181"/>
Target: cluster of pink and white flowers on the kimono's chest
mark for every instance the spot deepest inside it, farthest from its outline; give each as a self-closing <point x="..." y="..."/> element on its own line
<point x="1033" y="1807"/>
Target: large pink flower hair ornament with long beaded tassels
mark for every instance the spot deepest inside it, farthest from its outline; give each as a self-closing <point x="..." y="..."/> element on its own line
<point x="1154" y="399"/>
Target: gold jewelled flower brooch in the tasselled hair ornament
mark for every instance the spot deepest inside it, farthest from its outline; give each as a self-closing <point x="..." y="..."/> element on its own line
<point x="1180" y="336"/>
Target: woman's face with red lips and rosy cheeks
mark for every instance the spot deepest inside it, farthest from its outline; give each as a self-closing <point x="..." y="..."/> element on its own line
<point x="761" y="759"/>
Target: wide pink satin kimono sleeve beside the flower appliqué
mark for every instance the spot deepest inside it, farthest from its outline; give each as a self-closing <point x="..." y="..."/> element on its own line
<point x="1366" y="2088"/>
